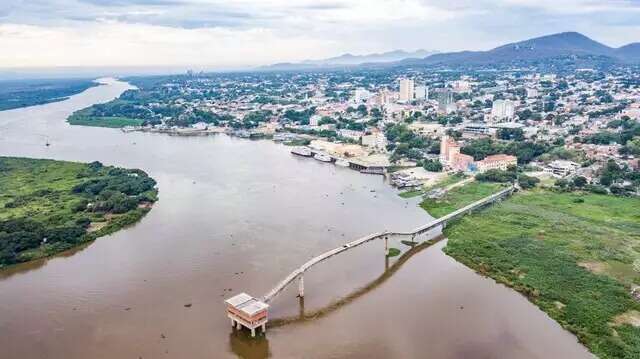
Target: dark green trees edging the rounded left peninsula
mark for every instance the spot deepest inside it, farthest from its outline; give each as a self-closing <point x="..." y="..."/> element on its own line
<point x="101" y="190"/>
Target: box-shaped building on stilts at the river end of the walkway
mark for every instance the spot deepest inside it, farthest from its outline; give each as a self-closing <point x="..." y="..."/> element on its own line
<point x="245" y="310"/>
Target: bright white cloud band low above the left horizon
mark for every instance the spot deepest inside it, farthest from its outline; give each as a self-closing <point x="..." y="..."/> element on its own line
<point x="119" y="44"/>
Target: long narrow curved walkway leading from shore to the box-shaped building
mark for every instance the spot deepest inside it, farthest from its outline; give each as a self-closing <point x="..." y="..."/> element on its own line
<point x="420" y="230"/>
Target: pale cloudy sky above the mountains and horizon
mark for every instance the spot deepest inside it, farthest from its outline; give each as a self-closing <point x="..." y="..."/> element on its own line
<point x="237" y="33"/>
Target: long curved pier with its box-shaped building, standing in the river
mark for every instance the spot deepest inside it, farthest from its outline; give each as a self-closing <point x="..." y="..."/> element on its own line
<point x="298" y="273"/>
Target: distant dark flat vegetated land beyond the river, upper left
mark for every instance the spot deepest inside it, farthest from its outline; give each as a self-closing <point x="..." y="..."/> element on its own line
<point x="23" y="93"/>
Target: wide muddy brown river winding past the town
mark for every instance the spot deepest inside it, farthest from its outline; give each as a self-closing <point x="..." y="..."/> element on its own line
<point x="238" y="215"/>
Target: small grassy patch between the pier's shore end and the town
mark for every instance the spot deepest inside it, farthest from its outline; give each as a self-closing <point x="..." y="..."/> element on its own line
<point x="459" y="197"/>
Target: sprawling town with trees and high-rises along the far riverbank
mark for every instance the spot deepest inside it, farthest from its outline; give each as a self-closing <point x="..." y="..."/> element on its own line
<point x="582" y="123"/>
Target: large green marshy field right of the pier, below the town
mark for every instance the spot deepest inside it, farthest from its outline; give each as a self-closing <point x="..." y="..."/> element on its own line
<point x="574" y="255"/>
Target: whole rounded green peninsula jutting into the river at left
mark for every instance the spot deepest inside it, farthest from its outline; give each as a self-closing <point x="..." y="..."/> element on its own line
<point x="50" y="206"/>
